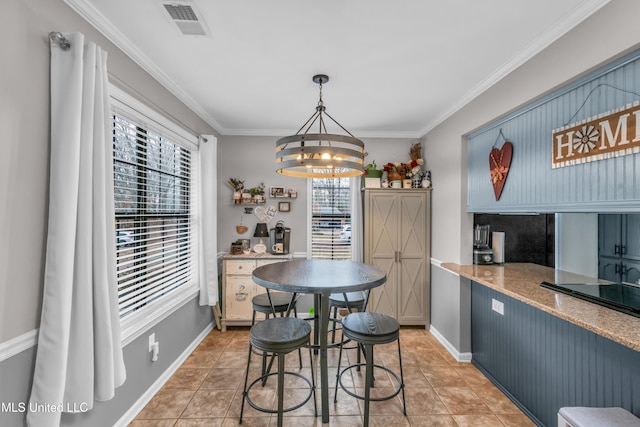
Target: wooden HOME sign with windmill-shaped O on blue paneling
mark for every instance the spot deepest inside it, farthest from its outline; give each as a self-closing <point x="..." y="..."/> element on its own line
<point x="608" y="135"/>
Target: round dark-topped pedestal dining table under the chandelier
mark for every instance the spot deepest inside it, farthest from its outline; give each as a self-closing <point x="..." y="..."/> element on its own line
<point x="321" y="278"/>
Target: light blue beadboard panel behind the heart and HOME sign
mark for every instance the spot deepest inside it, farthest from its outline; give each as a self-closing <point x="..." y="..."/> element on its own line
<point x="606" y="182"/>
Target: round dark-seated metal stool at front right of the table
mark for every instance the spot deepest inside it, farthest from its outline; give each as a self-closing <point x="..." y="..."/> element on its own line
<point x="369" y="329"/>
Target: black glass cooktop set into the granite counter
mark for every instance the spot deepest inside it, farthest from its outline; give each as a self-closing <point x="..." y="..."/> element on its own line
<point x="617" y="296"/>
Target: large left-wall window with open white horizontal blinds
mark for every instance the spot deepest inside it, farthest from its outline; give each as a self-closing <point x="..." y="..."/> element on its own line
<point x="152" y="188"/>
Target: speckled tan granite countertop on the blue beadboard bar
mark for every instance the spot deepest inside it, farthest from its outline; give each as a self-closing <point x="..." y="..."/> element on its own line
<point x="522" y="282"/>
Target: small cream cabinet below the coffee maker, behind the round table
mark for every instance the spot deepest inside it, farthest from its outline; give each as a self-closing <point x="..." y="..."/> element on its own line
<point x="238" y="287"/>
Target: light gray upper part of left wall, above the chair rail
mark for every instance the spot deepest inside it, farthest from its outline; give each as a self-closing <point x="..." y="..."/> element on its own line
<point x="24" y="164"/>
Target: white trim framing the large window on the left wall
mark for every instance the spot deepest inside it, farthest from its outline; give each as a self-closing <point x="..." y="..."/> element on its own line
<point x="136" y="324"/>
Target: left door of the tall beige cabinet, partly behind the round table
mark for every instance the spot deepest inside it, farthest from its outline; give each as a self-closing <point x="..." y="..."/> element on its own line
<point x="381" y="250"/>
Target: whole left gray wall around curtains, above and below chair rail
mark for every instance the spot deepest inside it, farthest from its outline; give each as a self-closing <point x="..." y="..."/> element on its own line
<point x="24" y="169"/>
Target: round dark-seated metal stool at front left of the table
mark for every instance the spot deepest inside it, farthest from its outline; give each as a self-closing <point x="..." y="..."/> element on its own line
<point x="280" y="336"/>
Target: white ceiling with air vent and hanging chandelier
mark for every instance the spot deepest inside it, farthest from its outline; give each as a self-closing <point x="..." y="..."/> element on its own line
<point x="396" y="68"/>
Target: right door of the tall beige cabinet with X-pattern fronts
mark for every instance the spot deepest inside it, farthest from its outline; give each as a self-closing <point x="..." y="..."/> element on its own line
<point x="413" y="291"/>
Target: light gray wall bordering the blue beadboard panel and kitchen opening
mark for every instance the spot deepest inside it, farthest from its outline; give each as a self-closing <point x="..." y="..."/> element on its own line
<point x="608" y="34"/>
